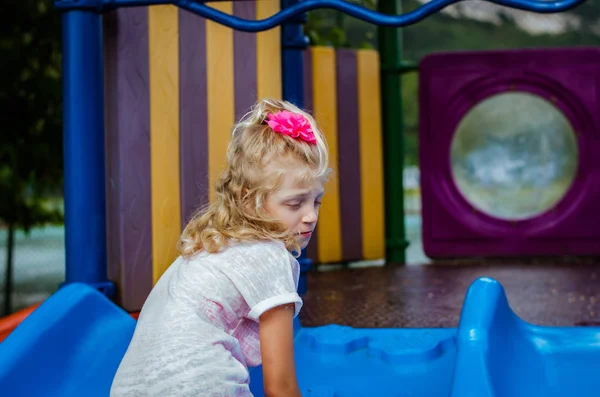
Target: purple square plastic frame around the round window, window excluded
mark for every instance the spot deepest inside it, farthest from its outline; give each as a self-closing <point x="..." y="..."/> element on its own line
<point x="453" y="83"/>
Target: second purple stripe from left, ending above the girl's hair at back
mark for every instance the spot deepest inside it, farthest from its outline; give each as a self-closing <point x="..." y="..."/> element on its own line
<point x="193" y="114"/>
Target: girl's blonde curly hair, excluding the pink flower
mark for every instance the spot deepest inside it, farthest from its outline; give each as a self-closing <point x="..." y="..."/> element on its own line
<point x="237" y="213"/>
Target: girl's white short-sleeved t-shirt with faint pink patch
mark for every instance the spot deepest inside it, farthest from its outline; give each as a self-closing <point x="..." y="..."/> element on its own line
<point x="197" y="333"/>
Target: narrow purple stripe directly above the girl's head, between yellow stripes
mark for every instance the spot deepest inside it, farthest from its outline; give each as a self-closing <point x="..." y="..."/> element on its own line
<point x="244" y="61"/>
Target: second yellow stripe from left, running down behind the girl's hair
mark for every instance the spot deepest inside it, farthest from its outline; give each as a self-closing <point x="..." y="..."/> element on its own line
<point x="220" y="94"/>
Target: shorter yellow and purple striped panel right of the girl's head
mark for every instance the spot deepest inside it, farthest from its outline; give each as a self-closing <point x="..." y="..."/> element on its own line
<point x="342" y="91"/>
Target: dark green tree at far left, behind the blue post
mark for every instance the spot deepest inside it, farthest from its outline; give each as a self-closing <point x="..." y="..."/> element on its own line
<point x="31" y="138"/>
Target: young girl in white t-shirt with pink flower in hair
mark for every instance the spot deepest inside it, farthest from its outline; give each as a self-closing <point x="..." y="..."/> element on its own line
<point x="228" y="302"/>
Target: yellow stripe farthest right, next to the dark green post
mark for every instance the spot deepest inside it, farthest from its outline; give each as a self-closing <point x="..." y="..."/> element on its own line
<point x="371" y="154"/>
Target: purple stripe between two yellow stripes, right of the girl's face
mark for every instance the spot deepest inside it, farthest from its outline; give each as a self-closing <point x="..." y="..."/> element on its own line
<point x="349" y="155"/>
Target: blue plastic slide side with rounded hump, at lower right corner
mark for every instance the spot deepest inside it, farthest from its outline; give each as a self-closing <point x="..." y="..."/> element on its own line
<point x="498" y="354"/>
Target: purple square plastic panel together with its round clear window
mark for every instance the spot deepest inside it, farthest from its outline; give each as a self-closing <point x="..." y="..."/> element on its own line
<point x="452" y="85"/>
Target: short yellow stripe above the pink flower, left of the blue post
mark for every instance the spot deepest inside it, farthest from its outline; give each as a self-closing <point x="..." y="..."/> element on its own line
<point x="268" y="53"/>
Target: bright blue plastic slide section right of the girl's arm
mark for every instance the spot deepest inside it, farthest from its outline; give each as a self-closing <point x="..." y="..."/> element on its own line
<point x="493" y="353"/>
